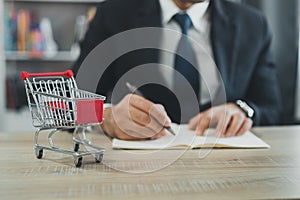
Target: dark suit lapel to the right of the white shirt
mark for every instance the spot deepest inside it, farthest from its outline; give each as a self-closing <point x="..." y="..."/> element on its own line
<point x="224" y="42"/>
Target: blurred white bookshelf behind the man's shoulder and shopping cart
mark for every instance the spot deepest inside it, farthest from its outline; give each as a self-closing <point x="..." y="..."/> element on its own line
<point x="62" y="15"/>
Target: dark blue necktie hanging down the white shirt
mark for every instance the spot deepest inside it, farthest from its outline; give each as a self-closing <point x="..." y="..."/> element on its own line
<point x="184" y="66"/>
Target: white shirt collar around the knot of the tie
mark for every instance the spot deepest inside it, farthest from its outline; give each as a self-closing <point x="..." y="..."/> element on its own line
<point x="196" y="12"/>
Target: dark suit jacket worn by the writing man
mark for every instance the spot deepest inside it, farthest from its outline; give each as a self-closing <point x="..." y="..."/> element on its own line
<point x="241" y="44"/>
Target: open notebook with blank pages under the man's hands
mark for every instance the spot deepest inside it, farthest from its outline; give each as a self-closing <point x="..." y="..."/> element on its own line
<point x="186" y="139"/>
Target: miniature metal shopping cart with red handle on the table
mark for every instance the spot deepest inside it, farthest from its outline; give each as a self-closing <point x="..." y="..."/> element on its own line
<point x="56" y="104"/>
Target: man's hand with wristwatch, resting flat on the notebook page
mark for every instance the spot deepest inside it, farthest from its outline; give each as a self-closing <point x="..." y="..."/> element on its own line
<point x="228" y="119"/>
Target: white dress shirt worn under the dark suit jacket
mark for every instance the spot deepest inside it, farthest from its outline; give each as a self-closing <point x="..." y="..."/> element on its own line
<point x="199" y="32"/>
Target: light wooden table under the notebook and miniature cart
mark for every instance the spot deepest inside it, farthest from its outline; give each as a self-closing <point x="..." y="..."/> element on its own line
<point x="223" y="173"/>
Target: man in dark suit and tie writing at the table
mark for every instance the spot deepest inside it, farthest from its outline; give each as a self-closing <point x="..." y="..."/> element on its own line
<point x="236" y="36"/>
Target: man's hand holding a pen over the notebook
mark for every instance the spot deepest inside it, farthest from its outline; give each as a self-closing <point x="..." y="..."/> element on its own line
<point x="135" y="118"/>
